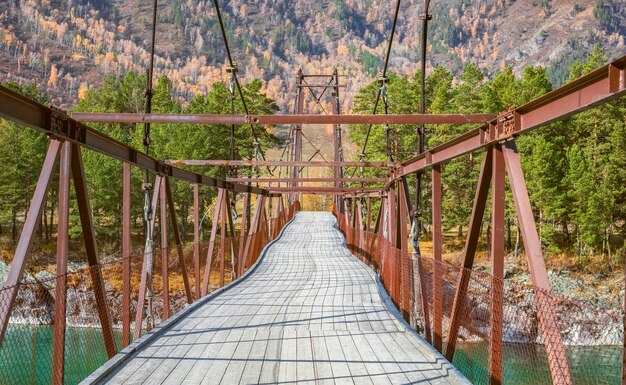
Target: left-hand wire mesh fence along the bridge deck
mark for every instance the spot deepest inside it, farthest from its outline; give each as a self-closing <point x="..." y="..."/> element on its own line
<point x="27" y="350"/>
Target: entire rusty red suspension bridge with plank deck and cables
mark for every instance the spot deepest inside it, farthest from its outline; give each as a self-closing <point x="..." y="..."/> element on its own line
<point x="287" y="296"/>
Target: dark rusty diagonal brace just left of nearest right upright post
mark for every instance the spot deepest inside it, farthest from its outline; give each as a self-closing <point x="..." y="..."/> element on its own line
<point x="471" y="243"/>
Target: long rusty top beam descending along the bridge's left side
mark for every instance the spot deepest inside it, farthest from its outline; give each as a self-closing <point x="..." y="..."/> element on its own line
<point x="57" y="124"/>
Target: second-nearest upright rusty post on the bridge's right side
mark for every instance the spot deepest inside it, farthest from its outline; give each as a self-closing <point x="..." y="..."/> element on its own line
<point x="437" y="258"/>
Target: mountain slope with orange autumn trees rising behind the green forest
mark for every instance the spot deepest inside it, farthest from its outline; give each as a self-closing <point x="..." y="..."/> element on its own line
<point x="68" y="45"/>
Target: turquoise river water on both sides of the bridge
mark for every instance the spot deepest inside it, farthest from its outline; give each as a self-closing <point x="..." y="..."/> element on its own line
<point x="26" y="358"/>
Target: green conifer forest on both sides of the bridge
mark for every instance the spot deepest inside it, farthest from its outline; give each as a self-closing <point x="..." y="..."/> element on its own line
<point x="575" y="169"/>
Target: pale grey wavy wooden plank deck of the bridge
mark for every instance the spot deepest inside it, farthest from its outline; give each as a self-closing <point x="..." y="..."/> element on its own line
<point x="311" y="312"/>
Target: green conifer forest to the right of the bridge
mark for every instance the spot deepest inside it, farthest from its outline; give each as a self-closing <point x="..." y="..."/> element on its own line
<point x="575" y="169"/>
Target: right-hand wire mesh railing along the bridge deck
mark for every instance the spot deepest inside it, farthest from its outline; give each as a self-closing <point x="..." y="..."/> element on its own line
<point x="592" y="336"/>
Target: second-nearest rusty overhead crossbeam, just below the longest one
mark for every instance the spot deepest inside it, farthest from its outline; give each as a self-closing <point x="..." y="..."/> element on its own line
<point x="277" y="163"/>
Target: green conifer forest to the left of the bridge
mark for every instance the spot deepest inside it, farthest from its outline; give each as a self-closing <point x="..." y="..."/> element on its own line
<point x="23" y="151"/>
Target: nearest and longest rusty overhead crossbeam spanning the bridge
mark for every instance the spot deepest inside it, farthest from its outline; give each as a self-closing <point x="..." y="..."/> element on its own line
<point x="116" y="117"/>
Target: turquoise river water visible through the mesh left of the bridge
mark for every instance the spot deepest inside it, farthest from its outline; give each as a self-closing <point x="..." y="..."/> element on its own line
<point x="26" y="354"/>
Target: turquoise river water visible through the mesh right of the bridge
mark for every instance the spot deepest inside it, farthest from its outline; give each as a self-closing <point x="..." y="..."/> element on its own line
<point x="527" y="364"/>
